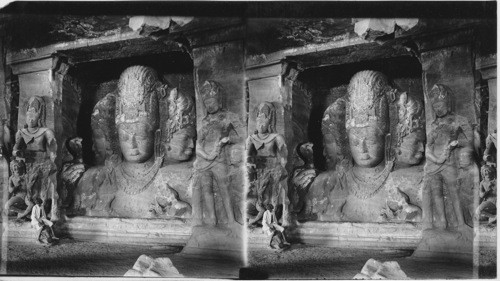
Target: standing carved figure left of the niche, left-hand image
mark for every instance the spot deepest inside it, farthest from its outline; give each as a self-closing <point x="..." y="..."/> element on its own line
<point x="37" y="145"/>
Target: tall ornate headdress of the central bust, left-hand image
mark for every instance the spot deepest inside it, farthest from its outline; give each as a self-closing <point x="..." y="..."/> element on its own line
<point x="137" y="96"/>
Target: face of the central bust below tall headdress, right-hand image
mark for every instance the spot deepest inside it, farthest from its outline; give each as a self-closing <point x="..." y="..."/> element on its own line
<point x="367" y="146"/>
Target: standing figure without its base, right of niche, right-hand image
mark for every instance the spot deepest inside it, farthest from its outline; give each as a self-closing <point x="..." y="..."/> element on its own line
<point x="449" y="132"/>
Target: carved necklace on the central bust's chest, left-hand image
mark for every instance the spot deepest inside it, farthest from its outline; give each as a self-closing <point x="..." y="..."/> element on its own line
<point x="137" y="181"/>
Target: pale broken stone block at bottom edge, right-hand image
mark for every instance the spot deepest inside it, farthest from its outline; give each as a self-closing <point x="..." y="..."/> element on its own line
<point x="374" y="269"/>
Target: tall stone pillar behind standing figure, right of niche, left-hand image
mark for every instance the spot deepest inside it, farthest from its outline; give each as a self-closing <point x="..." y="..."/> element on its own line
<point x="219" y="58"/>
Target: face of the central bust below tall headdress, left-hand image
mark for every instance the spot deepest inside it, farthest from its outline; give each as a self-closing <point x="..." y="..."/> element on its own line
<point x="136" y="141"/>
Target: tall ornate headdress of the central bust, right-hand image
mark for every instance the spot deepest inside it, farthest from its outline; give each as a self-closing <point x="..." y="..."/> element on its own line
<point x="367" y="101"/>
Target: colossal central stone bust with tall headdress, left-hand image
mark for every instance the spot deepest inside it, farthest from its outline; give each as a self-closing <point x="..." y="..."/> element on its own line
<point x="132" y="187"/>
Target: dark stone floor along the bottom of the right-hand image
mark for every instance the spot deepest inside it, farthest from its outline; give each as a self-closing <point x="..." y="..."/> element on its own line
<point x="311" y="262"/>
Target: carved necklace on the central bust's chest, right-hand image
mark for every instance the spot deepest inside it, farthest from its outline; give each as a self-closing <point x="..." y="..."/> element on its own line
<point x="367" y="187"/>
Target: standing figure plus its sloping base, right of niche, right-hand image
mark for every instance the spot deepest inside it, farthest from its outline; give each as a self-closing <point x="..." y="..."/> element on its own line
<point x="449" y="153"/>
